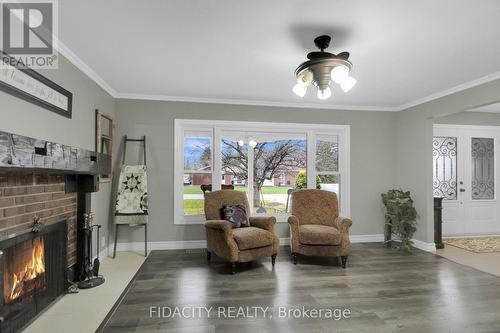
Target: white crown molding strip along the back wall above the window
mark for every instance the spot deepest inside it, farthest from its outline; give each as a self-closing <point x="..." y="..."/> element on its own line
<point x="254" y="102"/>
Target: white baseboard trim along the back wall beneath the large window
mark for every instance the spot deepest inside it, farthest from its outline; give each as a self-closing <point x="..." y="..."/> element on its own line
<point x="199" y="244"/>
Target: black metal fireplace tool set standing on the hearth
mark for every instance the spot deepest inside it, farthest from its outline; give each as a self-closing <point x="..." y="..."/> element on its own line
<point x="90" y="275"/>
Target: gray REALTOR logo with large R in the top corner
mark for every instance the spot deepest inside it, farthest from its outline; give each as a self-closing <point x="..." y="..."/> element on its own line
<point x="28" y="33"/>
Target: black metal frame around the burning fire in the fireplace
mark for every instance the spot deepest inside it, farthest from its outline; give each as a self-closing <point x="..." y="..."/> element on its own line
<point x="54" y="236"/>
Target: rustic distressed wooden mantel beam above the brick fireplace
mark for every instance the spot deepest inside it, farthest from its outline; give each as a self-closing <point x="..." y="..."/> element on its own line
<point x="25" y="154"/>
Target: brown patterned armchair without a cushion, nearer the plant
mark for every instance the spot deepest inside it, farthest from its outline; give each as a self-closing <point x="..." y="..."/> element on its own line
<point x="315" y="226"/>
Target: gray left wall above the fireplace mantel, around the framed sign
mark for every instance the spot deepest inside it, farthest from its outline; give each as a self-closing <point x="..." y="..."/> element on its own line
<point x="21" y="117"/>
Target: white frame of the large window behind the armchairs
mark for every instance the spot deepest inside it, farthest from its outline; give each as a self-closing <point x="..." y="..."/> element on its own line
<point x="218" y="127"/>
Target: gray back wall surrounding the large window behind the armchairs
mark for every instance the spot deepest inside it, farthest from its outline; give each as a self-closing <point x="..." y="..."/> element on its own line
<point x="373" y="168"/>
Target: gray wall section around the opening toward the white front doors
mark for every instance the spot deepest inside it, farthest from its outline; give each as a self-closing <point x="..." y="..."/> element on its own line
<point x="414" y="145"/>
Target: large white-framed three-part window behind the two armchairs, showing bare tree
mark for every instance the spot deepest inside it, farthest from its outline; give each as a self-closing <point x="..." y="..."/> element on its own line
<point x="267" y="161"/>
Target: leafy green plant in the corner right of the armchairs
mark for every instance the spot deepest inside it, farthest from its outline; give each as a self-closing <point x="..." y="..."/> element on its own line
<point x="400" y="219"/>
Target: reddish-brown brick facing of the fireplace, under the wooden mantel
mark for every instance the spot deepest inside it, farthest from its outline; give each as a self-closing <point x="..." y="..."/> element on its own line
<point x="26" y="195"/>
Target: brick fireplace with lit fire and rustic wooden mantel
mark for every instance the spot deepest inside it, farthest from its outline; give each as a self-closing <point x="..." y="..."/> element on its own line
<point x="52" y="184"/>
